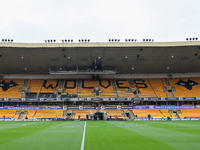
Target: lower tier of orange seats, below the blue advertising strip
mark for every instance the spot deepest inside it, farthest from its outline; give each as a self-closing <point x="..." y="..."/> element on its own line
<point x="109" y="113"/>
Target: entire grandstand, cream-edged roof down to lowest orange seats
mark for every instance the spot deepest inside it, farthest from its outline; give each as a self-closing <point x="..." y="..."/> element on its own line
<point x="100" y="81"/>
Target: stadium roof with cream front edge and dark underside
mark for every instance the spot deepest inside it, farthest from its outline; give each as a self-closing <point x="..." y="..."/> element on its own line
<point x="124" y="57"/>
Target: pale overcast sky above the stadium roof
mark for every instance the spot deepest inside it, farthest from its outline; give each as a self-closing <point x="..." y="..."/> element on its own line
<point x="33" y="21"/>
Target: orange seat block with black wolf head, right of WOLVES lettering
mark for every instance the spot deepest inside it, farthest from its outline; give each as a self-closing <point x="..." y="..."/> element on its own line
<point x="186" y="87"/>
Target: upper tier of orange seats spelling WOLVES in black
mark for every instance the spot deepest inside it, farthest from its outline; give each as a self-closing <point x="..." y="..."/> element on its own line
<point x="151" y="87"/>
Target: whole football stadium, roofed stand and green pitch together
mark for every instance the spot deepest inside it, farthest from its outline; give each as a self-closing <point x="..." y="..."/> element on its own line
<point x="91" y="95"/>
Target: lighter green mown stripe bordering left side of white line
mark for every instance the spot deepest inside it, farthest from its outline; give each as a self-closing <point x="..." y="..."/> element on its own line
<point x="54" y="135"/>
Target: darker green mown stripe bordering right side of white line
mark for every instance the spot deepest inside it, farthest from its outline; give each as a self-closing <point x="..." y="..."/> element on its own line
<point x="112" y="137"/>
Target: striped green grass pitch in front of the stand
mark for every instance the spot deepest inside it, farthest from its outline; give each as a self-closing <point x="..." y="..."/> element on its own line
<point x="100" y="135"/>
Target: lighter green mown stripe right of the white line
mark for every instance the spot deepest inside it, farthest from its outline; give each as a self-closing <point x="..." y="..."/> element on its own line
<point x="166" y="135"/>
